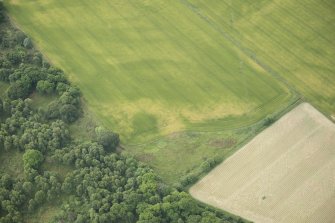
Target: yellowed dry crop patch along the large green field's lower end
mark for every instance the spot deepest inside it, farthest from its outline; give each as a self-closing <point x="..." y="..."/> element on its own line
<point x="170" y="118"/>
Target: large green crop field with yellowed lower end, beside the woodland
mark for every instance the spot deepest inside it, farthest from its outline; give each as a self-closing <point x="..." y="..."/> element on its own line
<point x="151" y="68"/>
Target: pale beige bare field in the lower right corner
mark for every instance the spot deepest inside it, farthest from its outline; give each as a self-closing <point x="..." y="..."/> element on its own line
<point x="285" y="174"/>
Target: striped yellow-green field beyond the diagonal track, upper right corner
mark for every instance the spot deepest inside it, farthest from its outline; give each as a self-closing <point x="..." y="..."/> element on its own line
<point x="293" y="38"/>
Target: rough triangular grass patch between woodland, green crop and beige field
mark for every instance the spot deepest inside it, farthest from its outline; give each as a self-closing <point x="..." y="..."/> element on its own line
<point x="167" y="157"/>
